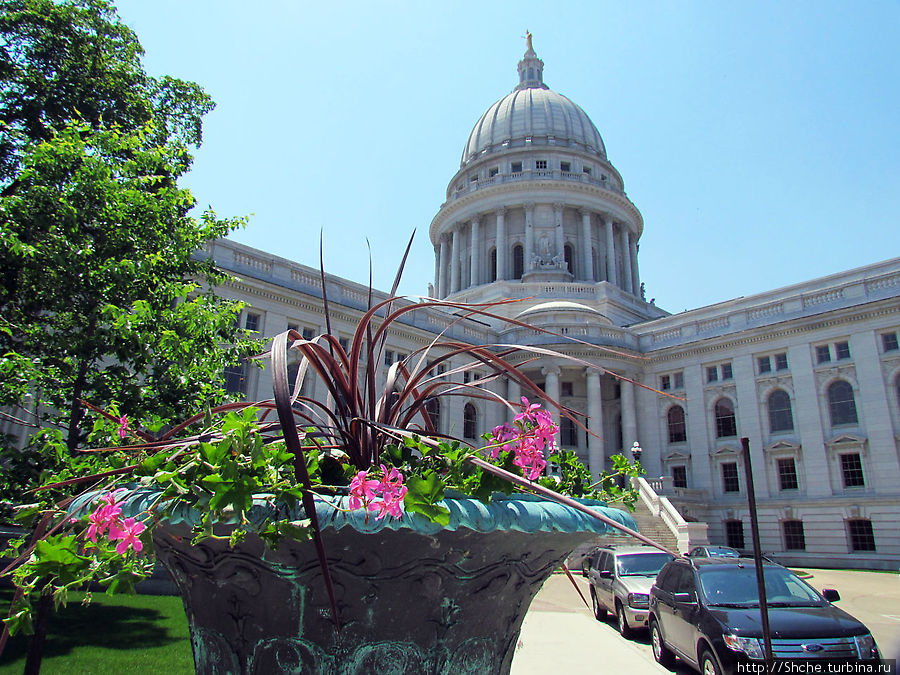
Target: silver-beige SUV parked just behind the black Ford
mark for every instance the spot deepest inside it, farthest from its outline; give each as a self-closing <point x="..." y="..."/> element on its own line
<point x="620" y="578"/>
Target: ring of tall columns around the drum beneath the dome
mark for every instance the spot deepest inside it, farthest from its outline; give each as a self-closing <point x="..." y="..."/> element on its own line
<point x="618" y="256"/>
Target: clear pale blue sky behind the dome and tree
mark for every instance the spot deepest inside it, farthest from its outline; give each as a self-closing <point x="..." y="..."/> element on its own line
<point x="760" y="141"/>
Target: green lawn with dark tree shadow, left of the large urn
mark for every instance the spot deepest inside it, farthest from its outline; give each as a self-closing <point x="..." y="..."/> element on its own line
<point x="117" y="634"/>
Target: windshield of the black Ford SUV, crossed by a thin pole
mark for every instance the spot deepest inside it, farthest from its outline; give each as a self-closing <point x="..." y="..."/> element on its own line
<point x="735" y="586"/>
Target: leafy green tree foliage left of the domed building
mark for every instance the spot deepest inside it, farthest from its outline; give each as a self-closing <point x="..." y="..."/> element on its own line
<point x="102" y="294"/>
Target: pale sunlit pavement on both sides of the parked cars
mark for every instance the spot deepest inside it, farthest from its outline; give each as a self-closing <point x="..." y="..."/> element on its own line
<point x="560" y="635"/>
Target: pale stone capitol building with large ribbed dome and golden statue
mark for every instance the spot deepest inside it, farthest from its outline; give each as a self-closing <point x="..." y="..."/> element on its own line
<point x="536" y="211"/>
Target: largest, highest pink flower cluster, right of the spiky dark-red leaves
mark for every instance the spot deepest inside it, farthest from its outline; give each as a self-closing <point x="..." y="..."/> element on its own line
<point x="530" y="434"/>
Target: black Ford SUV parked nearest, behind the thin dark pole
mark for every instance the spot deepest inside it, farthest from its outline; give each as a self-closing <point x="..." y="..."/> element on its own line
<point x="706" y="611"/>
